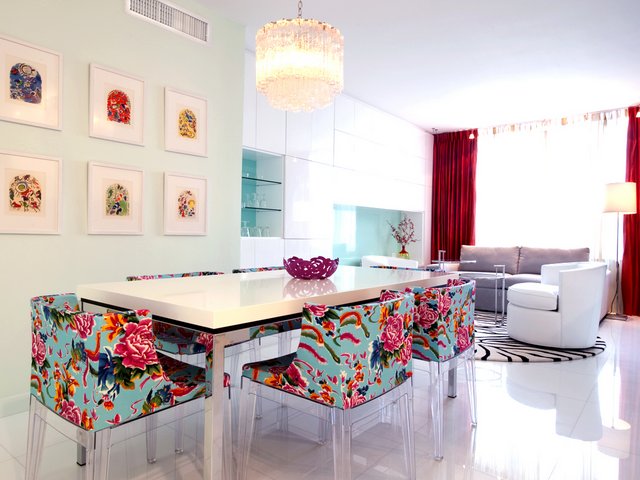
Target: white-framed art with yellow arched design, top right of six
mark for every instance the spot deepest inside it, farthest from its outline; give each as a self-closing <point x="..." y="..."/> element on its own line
<point x="185" y="123"/>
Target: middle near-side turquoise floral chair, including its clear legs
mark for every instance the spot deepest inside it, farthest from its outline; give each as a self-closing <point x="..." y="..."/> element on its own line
<point x="347" y="357"/>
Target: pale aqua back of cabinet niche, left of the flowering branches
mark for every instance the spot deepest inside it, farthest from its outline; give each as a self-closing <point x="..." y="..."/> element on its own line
<point x="362" y="231"/>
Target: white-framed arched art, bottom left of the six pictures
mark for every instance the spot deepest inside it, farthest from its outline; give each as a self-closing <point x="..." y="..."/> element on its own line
<point x="31" y="200"/>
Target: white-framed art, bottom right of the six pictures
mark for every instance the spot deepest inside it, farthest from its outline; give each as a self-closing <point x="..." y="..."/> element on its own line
<point x="185" y="204"/>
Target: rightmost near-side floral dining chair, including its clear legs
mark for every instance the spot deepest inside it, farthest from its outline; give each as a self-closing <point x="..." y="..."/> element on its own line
<point x="443" y="332"/>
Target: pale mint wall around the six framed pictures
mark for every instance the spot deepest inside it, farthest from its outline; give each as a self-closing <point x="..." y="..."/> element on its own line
<point x="91" y="31"/>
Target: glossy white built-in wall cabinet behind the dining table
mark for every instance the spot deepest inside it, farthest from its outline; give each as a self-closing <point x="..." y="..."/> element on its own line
<point x="348" y="153"/>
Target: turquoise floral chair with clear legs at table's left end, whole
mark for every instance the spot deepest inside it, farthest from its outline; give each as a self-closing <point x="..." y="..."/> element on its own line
<point x="99" y="371"/>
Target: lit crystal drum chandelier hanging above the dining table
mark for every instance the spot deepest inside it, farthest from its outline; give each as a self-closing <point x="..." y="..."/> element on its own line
<point x="299" y="63"/>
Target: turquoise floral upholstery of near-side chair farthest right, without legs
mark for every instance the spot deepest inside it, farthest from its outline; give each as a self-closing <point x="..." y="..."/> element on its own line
<point x="443" y="323"/>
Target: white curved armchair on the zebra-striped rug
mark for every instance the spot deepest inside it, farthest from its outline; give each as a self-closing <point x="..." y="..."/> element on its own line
<point x="562" y="311"/>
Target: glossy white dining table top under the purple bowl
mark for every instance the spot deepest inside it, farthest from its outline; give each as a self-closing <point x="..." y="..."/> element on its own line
<point x="231" y="300"/>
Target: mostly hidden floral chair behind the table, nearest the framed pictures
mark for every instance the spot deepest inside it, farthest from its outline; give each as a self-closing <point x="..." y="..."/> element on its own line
<point x="177" y="340"/>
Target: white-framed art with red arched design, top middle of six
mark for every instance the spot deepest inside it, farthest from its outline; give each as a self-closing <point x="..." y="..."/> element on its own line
<point x="116" y="106"/>
